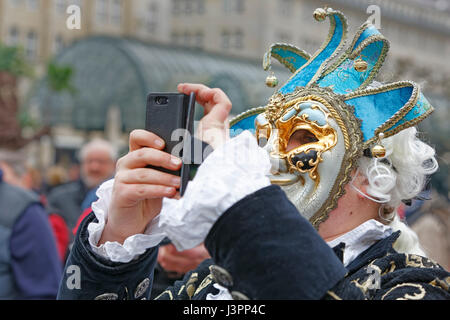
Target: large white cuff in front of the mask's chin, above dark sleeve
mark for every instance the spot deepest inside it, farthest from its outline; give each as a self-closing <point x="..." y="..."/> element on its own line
<point x="233" y="171"/>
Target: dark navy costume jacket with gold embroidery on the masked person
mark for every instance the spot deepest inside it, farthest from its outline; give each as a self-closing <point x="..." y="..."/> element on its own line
<point x="262" y="248"/>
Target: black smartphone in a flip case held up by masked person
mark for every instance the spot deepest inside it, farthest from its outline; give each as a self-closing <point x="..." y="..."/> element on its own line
<point x="171" y="117"/>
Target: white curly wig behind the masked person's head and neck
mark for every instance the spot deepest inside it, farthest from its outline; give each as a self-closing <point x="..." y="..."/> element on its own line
<point x="410" y="163"/>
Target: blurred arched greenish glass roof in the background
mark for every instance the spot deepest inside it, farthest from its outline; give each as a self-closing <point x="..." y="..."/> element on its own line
<point x="122" y="72"/>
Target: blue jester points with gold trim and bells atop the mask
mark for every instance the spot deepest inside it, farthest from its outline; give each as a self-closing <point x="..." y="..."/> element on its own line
<point x="384" y="110"/>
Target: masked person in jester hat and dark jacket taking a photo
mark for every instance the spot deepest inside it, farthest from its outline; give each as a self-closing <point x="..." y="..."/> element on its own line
<point x="297" y="202"/>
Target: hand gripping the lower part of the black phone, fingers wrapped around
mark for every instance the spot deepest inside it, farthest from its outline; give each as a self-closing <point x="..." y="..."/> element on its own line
<point x="137" y="193"/>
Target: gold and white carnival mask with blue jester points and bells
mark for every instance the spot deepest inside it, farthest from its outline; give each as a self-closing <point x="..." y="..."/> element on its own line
<point x="324" y="118"/>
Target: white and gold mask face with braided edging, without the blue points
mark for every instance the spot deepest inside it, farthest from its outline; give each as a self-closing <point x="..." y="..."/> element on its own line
<point x="312" y="139"/>
